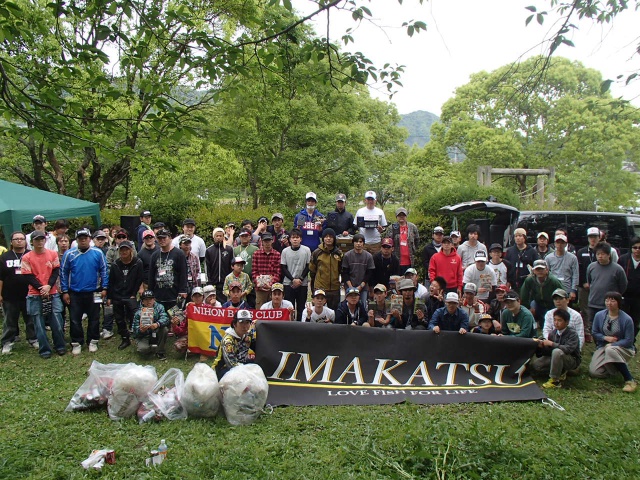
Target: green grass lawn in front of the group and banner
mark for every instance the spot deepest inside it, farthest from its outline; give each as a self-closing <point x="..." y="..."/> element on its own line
<point x="596" y="437"/>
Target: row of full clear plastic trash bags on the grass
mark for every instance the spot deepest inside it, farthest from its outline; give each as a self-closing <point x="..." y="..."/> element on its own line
<point x="128" y="390"/>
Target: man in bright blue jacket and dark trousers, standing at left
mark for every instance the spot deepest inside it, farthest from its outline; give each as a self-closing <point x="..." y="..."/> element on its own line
<point x="84" y="280"/>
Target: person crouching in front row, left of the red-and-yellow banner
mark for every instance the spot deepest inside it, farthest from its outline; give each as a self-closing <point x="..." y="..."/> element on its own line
<point x="150" y="326"/>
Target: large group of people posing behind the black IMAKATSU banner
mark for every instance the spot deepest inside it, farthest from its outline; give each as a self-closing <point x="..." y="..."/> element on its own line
<point x="357" y="270"/>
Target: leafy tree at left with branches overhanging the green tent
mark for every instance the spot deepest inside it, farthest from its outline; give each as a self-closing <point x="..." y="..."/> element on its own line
<point x="86" y="81"/>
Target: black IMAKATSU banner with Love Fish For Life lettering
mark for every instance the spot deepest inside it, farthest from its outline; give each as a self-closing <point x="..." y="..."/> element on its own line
<point x="324" y="364"/>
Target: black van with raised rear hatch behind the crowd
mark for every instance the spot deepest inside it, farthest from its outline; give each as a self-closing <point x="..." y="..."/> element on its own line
<point x="504" y="219"/>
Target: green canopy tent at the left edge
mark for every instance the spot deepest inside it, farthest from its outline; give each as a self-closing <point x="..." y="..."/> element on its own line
<point x="19" y="204"/>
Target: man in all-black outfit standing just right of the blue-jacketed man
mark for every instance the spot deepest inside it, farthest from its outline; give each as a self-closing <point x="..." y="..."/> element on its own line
<point x="127" y="275"/>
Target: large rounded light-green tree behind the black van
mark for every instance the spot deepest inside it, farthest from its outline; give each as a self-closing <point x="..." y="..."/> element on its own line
<point x="567" y="122"/>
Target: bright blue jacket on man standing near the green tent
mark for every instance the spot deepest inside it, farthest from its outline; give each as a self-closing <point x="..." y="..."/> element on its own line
<point x="83" y="271"/>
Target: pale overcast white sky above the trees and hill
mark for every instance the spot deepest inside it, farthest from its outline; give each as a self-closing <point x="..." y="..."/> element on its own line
<point x="468" y="36"/>
